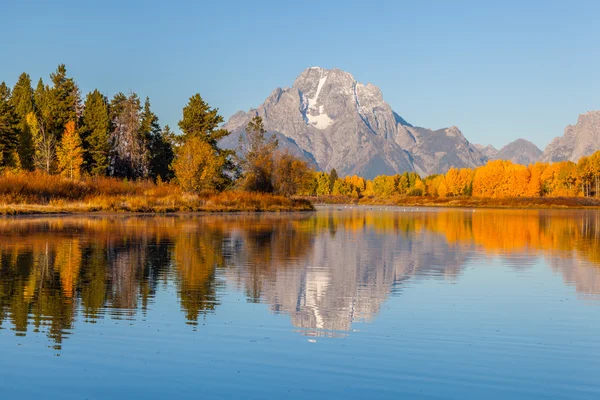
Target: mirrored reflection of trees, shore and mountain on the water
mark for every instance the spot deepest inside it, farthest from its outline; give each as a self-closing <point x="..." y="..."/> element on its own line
<point x="326" y="270"/>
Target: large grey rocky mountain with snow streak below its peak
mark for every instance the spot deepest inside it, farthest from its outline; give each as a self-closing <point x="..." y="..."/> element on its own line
<point x="333" y="121"/>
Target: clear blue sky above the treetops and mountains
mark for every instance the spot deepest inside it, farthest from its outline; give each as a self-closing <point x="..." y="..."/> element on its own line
<point x="498" y="70"/>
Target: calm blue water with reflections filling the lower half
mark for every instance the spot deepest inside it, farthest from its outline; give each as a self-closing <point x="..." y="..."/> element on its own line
<point x="341" y="303"/>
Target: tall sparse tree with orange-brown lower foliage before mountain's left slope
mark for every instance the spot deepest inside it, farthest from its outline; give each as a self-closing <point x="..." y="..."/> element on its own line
<point x="256" y="157"/>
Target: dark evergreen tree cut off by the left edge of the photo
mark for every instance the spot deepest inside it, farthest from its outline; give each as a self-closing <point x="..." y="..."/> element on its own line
<point x="9" y="132"/>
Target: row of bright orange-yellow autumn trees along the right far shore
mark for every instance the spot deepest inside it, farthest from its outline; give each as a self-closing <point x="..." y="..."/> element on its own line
<point x="496" y="179"/>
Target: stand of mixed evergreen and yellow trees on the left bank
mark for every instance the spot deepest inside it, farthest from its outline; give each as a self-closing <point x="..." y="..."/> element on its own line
<point x="54" y="130"/>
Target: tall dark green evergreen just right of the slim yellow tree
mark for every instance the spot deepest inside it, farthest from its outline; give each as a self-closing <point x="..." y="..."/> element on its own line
<point x="95" y="133"/>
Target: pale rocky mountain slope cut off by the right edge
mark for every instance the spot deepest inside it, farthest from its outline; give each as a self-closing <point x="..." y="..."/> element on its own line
<point x="579" y="140"/>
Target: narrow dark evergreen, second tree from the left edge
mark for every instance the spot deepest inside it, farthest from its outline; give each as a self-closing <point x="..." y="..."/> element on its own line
<point x="23" y="103"/>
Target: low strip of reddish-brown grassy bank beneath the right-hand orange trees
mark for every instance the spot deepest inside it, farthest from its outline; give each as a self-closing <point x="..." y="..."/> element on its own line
<point x="465" y="202"/>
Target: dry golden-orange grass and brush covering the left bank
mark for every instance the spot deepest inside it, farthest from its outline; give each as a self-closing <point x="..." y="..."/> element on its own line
<point x="38" y="193"/>
